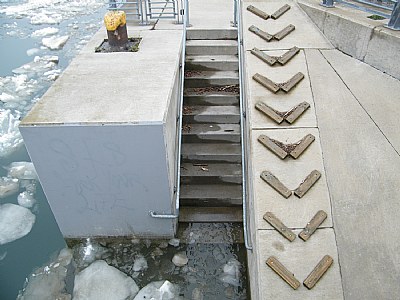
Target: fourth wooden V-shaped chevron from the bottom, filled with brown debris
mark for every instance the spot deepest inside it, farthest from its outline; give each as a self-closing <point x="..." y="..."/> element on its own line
<point x="283" y="150"/>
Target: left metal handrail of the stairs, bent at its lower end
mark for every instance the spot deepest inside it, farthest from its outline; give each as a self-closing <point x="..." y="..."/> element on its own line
<point x="179" y="121"/>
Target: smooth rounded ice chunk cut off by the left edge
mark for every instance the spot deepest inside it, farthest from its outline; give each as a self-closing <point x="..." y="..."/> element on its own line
<point x="15" y="222"/>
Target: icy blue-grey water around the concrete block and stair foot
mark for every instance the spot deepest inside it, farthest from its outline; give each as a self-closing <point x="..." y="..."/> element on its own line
<point x="32" y="262"/>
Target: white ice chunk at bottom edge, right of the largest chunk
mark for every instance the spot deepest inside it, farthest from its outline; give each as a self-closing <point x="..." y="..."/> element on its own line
<point x="159" y="290"/>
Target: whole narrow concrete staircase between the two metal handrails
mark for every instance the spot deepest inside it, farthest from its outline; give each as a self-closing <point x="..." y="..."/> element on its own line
<point x="211" y="174"/>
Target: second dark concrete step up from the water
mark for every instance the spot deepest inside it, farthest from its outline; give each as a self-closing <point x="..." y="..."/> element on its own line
<point x="211" y="191"/>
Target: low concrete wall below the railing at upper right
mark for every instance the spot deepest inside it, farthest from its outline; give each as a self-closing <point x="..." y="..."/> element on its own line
<point x="350" y="31"/>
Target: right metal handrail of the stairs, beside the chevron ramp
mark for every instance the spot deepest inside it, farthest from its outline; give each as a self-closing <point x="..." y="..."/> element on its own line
<point x="242" y="100"/>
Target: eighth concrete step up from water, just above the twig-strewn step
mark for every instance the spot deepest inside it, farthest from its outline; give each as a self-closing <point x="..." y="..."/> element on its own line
<point x="195" y="78"/>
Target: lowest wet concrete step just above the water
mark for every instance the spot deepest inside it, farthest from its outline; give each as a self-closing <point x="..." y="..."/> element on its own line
<point x="190" y="214"/>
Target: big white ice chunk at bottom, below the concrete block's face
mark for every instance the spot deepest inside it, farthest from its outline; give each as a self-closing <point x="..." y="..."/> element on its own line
<point x="101" y="281"/>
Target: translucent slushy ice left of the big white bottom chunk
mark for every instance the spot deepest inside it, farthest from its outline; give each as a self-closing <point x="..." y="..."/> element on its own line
<point x="48" y="282"/>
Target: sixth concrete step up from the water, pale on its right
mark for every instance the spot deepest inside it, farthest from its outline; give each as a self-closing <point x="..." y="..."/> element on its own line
<point x="211" y="114"/>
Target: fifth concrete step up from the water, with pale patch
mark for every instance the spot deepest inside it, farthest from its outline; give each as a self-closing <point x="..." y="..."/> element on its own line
<point x="211" y="133"/>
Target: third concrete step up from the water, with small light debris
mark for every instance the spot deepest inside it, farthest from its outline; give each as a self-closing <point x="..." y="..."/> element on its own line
<point x="211" y="169"/>
